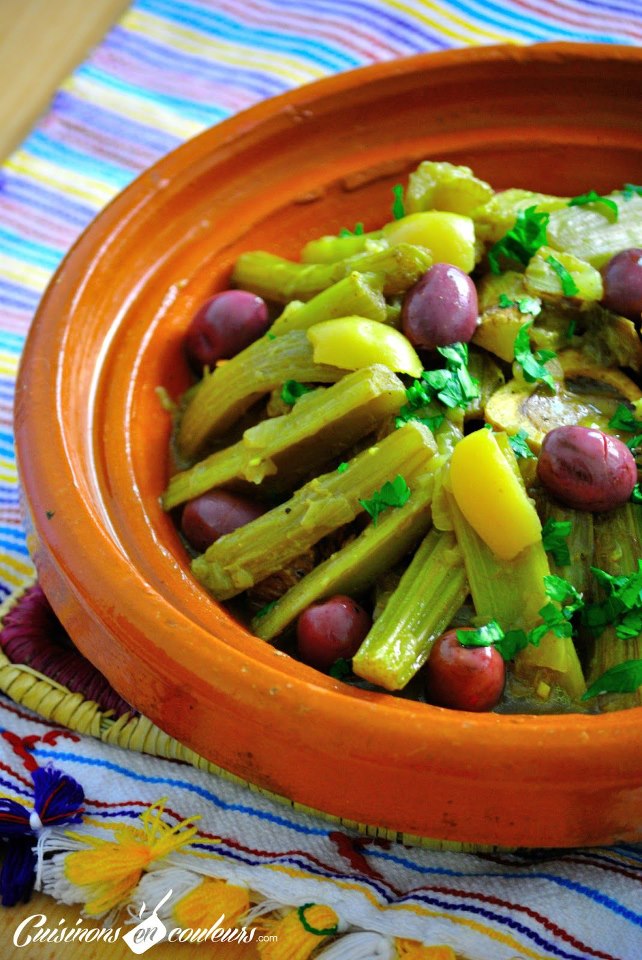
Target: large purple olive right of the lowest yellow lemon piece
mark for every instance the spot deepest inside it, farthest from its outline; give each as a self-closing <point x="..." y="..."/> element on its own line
<point x="586" y="469"/>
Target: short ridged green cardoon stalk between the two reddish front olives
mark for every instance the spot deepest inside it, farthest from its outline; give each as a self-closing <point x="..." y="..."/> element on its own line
<point x="430" y="592"/>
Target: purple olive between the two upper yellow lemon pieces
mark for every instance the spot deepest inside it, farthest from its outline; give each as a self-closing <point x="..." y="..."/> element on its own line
<point x="441" y="308"/>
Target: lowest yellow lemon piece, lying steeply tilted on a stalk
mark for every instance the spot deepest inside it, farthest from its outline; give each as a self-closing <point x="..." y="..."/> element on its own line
<point x="491" y="497"/>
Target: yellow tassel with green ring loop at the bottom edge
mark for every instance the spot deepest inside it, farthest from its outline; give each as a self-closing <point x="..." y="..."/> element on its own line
<point x="299" y="933"/>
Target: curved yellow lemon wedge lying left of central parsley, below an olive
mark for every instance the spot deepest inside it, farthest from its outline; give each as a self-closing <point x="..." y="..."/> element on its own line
<point x="354" y="342"/>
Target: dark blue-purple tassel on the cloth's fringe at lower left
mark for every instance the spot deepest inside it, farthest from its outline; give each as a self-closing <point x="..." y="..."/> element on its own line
<point x="58" y="799"/>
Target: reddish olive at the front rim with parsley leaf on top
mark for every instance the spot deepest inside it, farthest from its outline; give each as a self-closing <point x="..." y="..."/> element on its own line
<point x="464" y="678"/>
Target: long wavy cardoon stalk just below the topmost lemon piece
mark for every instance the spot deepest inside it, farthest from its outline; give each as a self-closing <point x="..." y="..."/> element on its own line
<point x="283" y="280"/>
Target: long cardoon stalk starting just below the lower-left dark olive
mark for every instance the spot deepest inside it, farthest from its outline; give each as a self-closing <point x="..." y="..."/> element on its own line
<point x="240" y="559"/>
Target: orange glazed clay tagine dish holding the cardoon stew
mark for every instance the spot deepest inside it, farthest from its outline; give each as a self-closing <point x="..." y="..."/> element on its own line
<point x="93" y="433"/>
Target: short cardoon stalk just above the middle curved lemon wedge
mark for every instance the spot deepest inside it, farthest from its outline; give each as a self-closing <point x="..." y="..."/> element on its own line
<point x="359" y="294"/>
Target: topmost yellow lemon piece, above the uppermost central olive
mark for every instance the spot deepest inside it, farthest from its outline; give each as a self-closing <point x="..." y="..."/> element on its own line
<point x="450" y="237"/>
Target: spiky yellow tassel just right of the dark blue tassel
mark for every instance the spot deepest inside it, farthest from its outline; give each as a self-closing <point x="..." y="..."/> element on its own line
<point x="111" y="869"/>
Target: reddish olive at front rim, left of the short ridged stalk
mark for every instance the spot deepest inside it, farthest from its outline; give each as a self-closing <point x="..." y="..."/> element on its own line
<point x="329" y="630"/>
